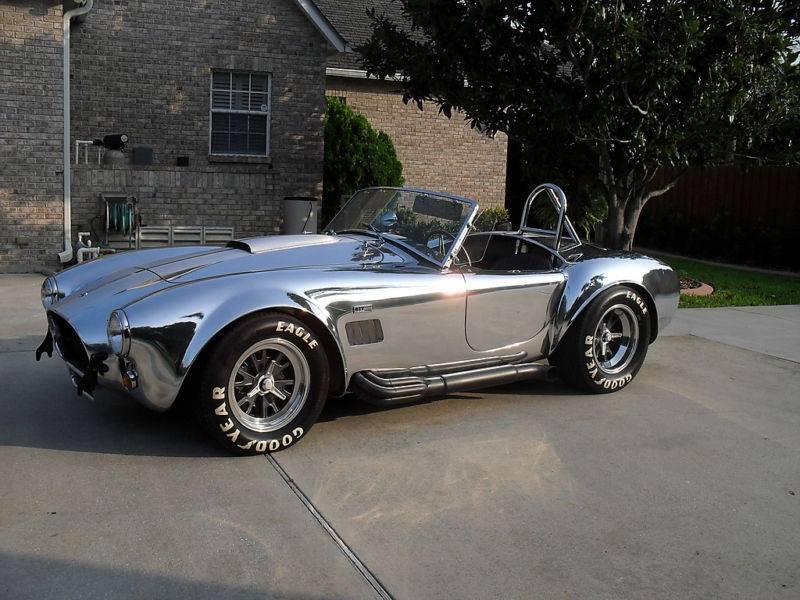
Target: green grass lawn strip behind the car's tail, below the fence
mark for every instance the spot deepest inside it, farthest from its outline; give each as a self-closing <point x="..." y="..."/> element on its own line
<point x="735" y="287"/>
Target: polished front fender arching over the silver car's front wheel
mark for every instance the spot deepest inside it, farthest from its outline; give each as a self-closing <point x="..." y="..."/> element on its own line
<point x="171" y="328"/>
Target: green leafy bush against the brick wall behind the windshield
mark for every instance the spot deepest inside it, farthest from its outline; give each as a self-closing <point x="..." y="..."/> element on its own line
<point x="356" y="156"/>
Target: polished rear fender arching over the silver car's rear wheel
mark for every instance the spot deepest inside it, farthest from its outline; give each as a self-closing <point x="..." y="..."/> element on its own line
<point x="589" y="278"/>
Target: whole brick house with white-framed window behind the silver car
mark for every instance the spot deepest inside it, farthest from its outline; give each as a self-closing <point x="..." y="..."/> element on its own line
<point x="228" y="95"/>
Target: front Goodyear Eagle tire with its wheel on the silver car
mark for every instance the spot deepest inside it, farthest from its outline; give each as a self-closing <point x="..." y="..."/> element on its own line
<point x="263" y="384"/>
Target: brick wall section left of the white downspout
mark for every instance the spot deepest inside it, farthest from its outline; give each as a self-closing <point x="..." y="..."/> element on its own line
<point x="30" y="134"/>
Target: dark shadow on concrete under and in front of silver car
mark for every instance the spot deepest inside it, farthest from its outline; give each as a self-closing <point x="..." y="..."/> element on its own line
<point x="39" y="408"/>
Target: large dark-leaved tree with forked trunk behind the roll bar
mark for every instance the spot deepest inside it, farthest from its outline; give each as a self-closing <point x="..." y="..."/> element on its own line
<point x="616" y="89"/>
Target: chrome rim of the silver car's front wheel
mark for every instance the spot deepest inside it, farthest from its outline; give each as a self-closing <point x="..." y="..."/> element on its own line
<point x="269" y="385"/>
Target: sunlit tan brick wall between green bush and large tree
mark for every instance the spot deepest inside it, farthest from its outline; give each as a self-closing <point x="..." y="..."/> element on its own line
<point x="437" y="153"/>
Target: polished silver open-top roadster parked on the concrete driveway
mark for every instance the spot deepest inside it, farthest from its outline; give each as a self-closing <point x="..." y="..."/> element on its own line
<point x="400" y="298"/>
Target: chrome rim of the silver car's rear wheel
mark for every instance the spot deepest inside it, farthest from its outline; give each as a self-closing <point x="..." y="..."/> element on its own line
<point x="616" y="338"/>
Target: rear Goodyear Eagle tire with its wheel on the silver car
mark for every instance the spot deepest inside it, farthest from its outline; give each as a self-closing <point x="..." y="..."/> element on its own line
<point x="605" y="348"/>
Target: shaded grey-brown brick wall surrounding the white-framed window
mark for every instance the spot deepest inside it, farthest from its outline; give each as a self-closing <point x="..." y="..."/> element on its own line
<point x="143" y="68"/>
